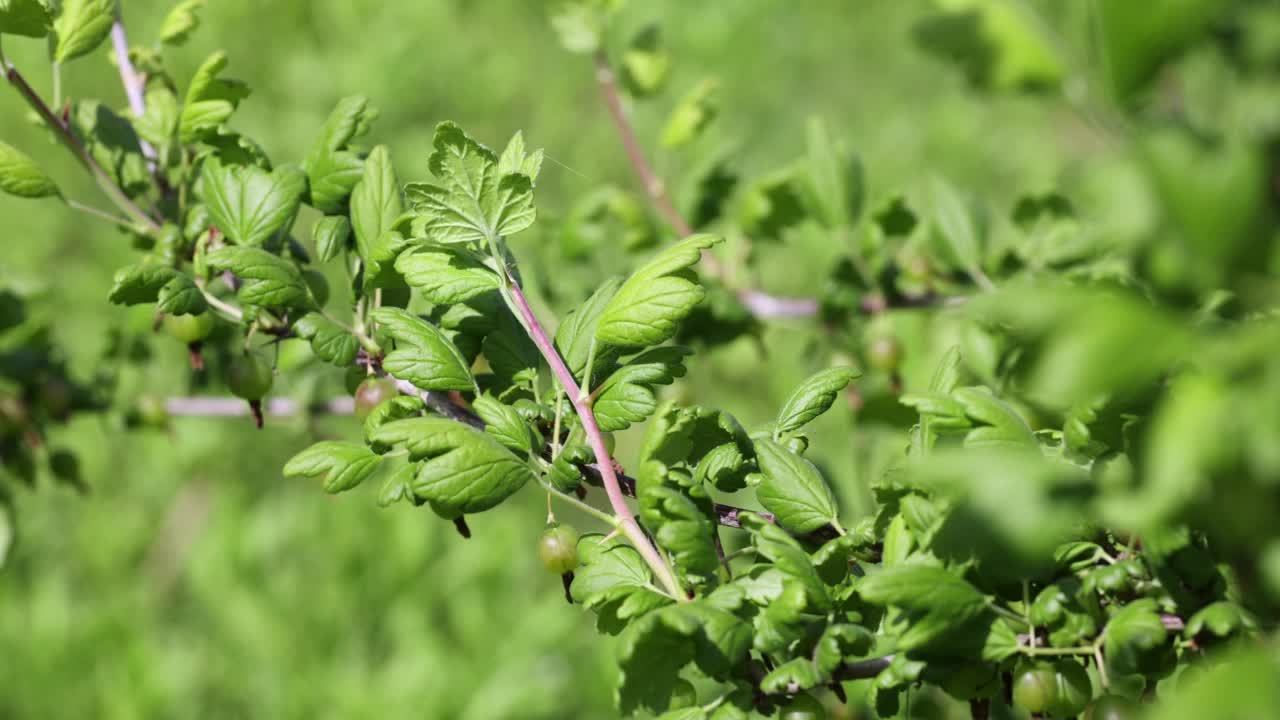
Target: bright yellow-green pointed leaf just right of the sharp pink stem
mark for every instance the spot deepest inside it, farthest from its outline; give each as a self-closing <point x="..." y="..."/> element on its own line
<point x="648" y="308"/>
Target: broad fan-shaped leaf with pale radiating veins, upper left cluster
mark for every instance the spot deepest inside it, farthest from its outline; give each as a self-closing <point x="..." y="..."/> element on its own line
<point x="249" y="204"/>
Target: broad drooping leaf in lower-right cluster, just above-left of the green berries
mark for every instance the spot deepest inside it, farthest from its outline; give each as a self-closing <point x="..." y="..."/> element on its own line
<point x="938" y="603"/>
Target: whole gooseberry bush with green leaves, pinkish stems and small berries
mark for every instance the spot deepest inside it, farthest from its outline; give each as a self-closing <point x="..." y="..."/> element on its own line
<point x="1078" y="518"/>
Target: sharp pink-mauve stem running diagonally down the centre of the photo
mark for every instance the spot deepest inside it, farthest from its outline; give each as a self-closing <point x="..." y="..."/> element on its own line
<point x="596" y="439"/>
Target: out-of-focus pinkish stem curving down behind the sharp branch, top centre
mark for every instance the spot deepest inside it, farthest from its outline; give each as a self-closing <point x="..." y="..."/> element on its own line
<point x="761" y="304"/>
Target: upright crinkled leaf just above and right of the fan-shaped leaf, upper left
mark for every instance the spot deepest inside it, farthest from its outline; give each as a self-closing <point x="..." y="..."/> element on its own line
<point x="333" y="168"/>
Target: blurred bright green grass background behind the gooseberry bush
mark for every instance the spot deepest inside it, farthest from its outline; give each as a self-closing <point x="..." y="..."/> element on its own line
<point x="195" y="581"/>
